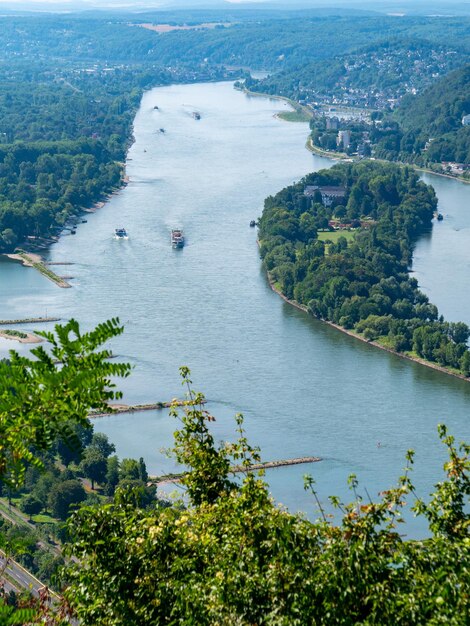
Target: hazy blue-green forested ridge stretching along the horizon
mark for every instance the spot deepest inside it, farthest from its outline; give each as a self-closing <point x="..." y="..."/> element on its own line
<point x="263" y="42"/>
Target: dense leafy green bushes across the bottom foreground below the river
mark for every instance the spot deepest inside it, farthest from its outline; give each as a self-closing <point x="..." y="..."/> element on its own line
<point x="234" y="557"/>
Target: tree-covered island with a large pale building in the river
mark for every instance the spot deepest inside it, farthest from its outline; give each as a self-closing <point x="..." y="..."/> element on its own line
<point x="340" y="243"/>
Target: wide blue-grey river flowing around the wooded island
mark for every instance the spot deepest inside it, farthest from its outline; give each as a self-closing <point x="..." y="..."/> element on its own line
<point x="303" y="387"/>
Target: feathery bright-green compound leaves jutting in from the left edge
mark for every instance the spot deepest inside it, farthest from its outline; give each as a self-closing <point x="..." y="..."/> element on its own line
<point x="40" y="397"/>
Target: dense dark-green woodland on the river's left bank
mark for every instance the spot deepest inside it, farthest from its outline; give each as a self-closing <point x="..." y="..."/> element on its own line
<point x="61" y="140"/>
